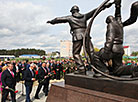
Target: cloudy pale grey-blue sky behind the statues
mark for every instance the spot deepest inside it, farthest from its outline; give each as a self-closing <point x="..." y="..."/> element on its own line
<point x="23" y="23"/>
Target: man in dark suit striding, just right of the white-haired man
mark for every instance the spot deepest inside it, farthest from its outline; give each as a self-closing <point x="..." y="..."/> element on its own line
<point x="42" y="74"/>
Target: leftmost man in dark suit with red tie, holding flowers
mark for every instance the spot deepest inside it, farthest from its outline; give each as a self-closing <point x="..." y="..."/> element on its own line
<point x="8" y="79"/>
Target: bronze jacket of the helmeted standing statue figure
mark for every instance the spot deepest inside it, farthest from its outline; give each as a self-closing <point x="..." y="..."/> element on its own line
<point x="77" y="22"/>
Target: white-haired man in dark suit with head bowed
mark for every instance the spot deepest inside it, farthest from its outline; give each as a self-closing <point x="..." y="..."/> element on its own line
<point x="29" y="77"/>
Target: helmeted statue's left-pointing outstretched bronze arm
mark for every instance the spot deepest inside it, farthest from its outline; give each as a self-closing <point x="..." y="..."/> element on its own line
<point x="59" y="20"/>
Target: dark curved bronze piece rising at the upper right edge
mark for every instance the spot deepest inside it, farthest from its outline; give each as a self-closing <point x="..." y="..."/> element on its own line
<point x="133" y="15"/>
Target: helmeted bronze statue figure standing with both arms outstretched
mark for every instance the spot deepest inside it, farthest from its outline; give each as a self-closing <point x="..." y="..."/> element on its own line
<point x="78" y="24"/>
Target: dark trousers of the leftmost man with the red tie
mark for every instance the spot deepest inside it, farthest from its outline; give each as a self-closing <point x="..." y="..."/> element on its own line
<point x="5" y="94"/>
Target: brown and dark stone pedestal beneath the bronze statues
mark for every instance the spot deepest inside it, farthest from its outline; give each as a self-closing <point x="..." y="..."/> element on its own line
<point x="79" y="88"/>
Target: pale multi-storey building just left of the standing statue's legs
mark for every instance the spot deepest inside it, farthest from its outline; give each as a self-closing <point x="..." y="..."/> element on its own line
<point x="65" y="48"/>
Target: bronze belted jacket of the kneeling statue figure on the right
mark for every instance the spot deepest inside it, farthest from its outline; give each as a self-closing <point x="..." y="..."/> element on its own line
<point x="114" y="38"/>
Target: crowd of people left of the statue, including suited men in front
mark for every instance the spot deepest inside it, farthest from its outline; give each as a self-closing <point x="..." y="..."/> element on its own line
<point x="42" y="71"/>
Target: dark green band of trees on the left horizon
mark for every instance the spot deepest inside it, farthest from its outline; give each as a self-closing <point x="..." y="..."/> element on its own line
<point x="18" y="52"/>
